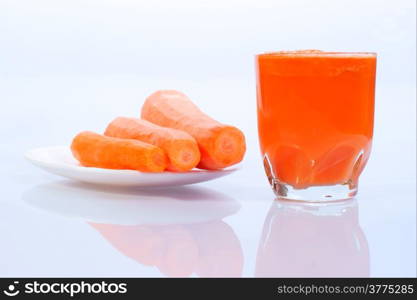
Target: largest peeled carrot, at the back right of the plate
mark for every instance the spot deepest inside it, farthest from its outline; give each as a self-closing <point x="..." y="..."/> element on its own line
<point x="220" y="145"/>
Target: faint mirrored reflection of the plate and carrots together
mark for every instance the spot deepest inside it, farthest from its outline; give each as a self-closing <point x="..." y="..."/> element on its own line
<point x="178" y="230"/>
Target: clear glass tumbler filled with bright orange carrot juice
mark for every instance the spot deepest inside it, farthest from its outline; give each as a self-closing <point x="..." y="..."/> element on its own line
<point x="315" y="121"/>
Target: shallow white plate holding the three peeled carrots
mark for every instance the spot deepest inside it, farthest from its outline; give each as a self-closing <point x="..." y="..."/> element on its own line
<point x="59" y="160"/>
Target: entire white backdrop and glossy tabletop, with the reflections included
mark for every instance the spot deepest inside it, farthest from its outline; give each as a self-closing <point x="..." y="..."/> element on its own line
<point x="70" y="66"/>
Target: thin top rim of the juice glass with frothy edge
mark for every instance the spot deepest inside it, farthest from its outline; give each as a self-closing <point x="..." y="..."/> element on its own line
<point x="316" y="53"/>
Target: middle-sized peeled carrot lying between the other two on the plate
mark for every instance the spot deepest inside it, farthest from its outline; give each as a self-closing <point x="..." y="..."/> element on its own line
<point x="181" y="148"/>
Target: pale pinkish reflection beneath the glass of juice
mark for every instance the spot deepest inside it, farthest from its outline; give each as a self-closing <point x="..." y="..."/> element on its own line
<point x="312" y="240"/>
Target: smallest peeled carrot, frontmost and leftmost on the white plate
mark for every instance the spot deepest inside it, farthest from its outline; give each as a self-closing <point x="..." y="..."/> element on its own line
<point x="96" y="150"/>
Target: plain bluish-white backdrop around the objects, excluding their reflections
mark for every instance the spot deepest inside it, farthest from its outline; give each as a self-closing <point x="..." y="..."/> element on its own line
<point x="67" y="66"/>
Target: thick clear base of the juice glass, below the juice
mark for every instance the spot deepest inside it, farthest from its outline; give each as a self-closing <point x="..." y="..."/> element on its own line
<point x="314" y="193"/>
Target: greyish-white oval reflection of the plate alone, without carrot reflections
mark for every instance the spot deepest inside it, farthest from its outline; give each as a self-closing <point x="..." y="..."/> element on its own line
<point x="130" y="206"/>
